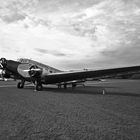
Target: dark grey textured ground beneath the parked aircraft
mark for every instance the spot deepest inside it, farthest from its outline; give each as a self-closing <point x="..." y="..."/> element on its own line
<point x="108" y="110"/>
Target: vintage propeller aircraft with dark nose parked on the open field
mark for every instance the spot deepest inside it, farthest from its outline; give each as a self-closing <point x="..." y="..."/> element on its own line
<point x="43" y="74"/>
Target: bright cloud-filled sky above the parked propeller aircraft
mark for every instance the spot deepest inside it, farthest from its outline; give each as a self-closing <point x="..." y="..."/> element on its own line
<point x="71" y="34"/>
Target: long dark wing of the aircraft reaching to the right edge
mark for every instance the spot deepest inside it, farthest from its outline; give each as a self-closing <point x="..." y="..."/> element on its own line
<point x="69" y="76"/>
